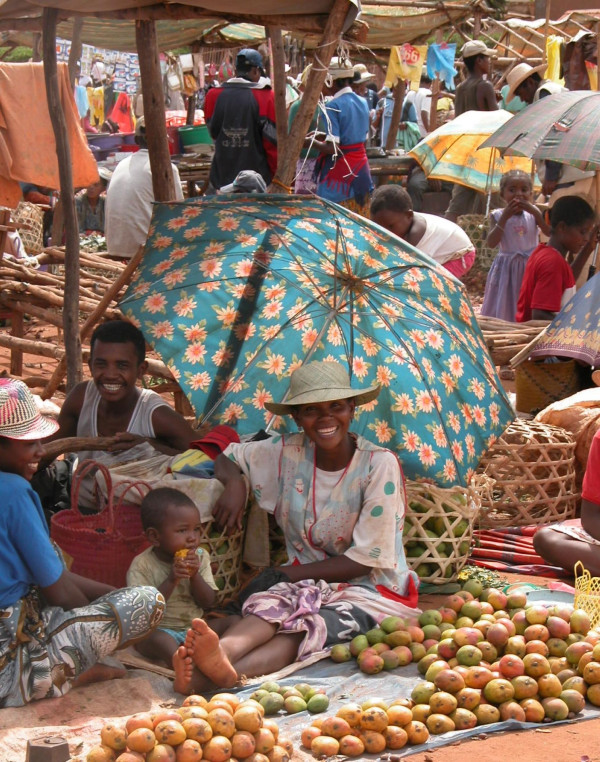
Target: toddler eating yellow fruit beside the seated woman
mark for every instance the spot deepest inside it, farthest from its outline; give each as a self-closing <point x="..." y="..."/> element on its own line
<point x="175" y="565"/>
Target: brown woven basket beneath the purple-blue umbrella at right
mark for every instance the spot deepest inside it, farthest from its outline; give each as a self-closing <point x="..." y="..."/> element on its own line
<point x="538" y="384"/>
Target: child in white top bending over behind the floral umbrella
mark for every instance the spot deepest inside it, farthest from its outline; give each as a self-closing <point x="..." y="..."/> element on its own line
<point x="444" y="241"/>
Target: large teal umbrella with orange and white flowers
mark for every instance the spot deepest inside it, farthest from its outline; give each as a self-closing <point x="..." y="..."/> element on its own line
<point x="235" y="292"/>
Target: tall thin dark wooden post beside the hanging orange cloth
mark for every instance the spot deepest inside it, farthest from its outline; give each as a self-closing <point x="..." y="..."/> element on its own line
<point x="63" y="153"/>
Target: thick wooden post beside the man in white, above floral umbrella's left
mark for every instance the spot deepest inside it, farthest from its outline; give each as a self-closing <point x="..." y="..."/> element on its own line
<point x="154" y="111"/>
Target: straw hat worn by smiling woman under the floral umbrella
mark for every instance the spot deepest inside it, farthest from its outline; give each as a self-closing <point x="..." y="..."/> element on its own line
<point x="321" y="382"/>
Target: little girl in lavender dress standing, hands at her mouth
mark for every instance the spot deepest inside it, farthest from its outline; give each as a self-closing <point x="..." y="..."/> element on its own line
<point x="515" y="230"/>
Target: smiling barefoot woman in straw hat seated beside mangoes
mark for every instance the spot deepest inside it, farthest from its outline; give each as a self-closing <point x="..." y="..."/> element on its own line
<point x="340" y="502"/>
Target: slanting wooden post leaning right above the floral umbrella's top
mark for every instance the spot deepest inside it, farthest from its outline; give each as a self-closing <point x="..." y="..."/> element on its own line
<point x="286" y="161"/>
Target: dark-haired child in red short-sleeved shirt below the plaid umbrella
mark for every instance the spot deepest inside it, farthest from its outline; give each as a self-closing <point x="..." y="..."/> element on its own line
<point x="549" y="280"/>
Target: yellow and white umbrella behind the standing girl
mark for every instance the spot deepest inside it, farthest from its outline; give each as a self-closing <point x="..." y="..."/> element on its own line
<point x="451" y="152"/>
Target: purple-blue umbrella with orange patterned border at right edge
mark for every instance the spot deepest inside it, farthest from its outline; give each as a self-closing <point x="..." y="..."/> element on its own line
<point x="574" y="330"/>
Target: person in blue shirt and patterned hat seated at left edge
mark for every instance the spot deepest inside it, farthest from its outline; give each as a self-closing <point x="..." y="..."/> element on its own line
<point x="55" y="626"/>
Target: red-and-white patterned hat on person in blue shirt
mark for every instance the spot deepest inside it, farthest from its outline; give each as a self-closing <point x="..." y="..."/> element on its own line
<point x="19" y="416"/>
